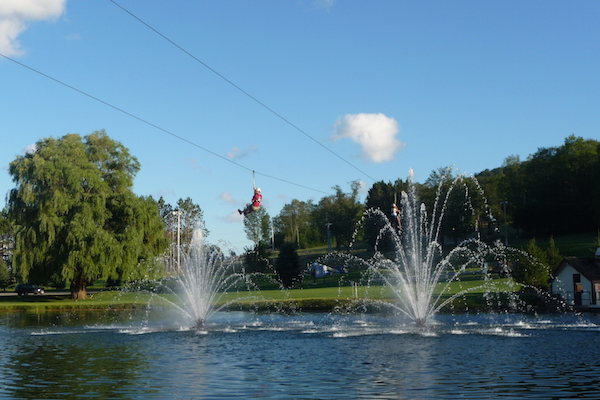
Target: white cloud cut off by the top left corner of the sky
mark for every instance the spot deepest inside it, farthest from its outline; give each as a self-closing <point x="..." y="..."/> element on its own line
<point x="14" y="15"/>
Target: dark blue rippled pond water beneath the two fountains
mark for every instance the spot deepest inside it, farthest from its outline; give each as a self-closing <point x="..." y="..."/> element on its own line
<point x="308" y="356"/>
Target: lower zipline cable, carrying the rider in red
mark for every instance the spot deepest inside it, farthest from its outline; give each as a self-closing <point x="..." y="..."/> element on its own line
<point x="156" y="126"/>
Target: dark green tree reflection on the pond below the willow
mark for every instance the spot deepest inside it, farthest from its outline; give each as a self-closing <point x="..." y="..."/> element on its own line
<point x="69" y="366"/>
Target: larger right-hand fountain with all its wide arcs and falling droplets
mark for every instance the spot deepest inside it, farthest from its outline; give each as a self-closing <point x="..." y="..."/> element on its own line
<point x="420" y="273"/>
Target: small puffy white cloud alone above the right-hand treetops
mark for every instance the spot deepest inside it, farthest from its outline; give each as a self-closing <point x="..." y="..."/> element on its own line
<point x="375" y="133"/>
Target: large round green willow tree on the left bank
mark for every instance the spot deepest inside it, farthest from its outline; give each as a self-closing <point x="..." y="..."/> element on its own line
<point x="75" y="216"/>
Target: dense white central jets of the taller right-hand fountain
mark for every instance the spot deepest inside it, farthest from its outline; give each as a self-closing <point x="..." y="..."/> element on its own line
<point x="419" y="264"/>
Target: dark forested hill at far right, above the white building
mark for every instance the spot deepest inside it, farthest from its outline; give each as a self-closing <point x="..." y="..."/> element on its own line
<point x="555" y="191"/>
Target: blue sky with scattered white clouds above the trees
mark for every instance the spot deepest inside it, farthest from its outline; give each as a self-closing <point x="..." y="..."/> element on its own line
<point x="308" y="94"/>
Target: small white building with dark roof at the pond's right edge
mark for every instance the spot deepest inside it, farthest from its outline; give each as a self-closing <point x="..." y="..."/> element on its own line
<point x="577" y="281"/>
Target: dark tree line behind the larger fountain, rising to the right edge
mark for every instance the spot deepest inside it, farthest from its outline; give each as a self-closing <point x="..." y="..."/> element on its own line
<point x="555" y="191"/>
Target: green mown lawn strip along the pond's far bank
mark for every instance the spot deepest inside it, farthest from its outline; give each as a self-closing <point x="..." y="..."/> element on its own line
<point x="326" y="294"/>
